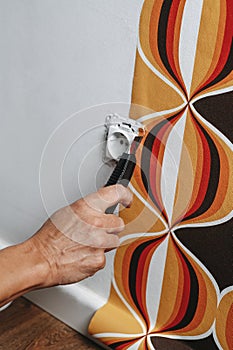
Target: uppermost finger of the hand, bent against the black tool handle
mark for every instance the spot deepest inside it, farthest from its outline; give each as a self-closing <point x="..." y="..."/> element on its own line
<point x="109" y="196"/>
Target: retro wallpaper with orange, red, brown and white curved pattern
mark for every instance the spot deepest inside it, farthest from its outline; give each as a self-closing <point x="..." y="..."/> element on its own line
<point x="173" y="273"/>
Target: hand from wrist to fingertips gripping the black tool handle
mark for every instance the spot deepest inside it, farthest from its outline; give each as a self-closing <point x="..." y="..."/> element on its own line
<point x="73" y="241"/>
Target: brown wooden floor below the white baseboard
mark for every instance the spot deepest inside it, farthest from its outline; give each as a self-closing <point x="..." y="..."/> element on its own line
<point x="25" y="326"/>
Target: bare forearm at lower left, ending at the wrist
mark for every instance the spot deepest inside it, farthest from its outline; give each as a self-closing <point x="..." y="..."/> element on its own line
<point x="21" y="270"/>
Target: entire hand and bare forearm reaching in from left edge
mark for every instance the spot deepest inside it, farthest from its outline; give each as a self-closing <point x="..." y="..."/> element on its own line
<point x="69" y="247"/>
